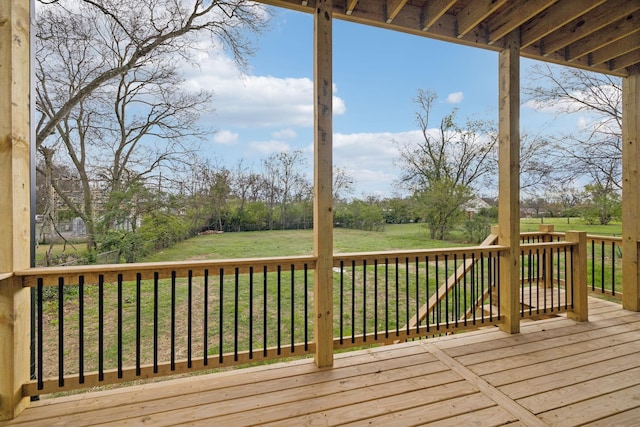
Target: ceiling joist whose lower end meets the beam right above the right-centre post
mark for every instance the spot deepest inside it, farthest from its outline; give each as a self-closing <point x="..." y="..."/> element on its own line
<point x="514" y="15"/>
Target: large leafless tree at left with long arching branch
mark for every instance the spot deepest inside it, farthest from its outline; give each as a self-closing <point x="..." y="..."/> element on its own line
<point x="108" y="81"/>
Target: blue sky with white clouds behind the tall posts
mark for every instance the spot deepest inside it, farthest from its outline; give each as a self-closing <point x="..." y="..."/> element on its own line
<point x="267" y="107"/>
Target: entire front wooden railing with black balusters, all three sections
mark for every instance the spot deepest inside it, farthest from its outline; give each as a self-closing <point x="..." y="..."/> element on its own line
<point x="107" y="324"/>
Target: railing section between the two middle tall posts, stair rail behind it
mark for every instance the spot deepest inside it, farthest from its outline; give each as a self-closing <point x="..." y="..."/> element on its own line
<point x="390" y="297"/>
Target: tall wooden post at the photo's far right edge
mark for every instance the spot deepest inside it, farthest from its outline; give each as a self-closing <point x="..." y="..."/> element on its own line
<point x="631" y="190"/>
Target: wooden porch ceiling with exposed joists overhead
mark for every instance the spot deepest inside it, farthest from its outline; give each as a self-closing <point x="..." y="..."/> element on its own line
<point x="596" y="35"/>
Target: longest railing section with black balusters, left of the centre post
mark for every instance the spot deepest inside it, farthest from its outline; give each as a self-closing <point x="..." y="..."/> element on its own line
<point x="102" y="325"/>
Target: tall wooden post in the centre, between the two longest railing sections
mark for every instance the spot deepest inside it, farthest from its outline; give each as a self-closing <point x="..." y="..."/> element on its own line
<point x="323" y="197"/>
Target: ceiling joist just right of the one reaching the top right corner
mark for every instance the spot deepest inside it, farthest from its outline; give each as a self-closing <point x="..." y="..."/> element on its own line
<point x="605" y="36"/>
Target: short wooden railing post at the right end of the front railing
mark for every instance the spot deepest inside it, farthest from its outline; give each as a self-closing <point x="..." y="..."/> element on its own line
<point x="578" y="277"/>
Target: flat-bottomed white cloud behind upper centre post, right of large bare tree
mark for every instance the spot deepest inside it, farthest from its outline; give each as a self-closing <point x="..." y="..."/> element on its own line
<point x="245" y="100"/>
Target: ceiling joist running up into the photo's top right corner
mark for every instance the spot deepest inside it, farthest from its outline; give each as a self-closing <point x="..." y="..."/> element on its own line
<point x="588" y="23"/>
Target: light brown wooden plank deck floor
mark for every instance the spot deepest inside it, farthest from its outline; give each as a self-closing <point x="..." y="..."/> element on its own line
<point x="555" y="372"/>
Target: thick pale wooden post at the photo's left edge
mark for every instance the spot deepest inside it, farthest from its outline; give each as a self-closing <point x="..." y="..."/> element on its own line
<point x="15" y="209"/>
